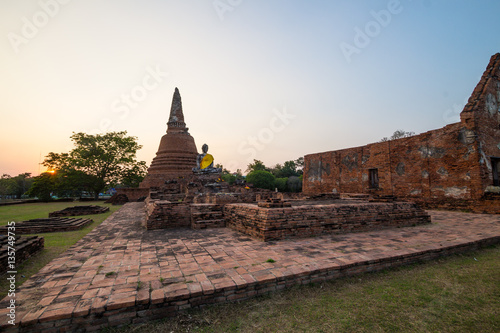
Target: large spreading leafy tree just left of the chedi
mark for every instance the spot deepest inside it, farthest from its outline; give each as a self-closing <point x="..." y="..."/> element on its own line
<point x="97" y="161"/>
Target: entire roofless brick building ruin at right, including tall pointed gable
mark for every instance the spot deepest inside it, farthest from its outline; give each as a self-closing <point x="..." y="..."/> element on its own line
<point x="456" y="166"/>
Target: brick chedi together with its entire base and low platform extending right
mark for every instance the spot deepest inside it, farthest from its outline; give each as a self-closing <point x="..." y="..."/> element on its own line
<point x="183" y="195"/>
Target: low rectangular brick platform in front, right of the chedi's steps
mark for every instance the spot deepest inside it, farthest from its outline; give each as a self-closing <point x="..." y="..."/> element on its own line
<point x="269" y="224"/>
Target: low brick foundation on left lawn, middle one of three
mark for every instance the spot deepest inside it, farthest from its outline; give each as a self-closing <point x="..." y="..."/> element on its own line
<point x="51" y="224"/>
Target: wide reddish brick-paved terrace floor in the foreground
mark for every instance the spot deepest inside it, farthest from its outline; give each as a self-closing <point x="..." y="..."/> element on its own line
<point x="121" y="273"/>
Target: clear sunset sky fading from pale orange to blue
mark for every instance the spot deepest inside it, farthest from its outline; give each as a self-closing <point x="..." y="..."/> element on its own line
<point x="266" y="80"/>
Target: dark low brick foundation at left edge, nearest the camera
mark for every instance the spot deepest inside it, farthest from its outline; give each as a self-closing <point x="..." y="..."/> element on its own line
<point x="25" y="247"/>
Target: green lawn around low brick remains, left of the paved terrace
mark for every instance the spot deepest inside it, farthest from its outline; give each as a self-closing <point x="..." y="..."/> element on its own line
<point x="55" y="242"/>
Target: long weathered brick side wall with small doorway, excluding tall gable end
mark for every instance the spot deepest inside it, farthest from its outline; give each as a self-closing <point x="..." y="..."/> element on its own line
<point x="432" y="164"/>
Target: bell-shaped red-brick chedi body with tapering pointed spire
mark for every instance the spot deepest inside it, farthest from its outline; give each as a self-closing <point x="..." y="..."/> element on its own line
<point x="176" y="156"/>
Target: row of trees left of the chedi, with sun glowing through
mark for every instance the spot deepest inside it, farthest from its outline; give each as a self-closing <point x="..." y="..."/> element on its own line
<point x="96" y="163"/>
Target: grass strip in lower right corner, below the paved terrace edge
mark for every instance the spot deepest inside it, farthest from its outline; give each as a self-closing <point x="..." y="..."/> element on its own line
<point x="455" y="294"/>
